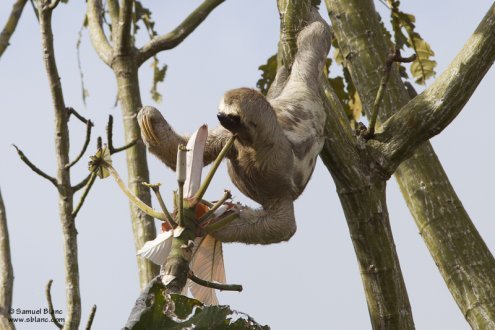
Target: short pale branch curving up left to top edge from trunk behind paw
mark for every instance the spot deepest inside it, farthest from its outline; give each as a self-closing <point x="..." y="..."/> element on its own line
<point x="96" y="32"/>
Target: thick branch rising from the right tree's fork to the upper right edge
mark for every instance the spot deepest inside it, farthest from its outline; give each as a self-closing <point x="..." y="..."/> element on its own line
<point x="430" y="112"/>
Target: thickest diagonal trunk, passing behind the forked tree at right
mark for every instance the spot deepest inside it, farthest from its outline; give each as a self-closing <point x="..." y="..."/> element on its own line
<point x="454" y="243"/>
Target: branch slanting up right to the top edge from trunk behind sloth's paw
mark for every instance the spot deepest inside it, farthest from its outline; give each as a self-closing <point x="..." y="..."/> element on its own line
<point x="177" y="35"/>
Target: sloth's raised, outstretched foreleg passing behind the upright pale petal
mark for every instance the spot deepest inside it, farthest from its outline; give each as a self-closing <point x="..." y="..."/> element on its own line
<point x="162" y="140"/>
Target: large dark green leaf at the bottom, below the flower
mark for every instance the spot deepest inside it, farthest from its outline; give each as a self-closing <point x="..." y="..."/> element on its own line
<point x="154" y="309"/>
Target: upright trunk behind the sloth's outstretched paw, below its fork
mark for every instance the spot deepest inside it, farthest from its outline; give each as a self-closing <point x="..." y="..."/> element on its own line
<point x="143" y="226"/>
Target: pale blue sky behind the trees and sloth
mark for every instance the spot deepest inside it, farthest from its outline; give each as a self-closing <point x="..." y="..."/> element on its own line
<point x="312" y="282"/>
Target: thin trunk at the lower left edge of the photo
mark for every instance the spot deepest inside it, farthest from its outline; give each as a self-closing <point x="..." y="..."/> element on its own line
<point x="6" y="272"/>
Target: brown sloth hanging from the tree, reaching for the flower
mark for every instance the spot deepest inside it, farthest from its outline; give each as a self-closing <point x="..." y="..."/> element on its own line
<point x="278" y="138"/>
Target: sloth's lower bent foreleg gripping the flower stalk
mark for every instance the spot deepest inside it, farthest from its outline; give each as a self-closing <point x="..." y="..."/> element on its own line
<point x="272" y="224"/>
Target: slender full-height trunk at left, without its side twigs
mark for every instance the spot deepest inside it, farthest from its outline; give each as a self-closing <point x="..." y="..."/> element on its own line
<point x="73" y="298"/>
